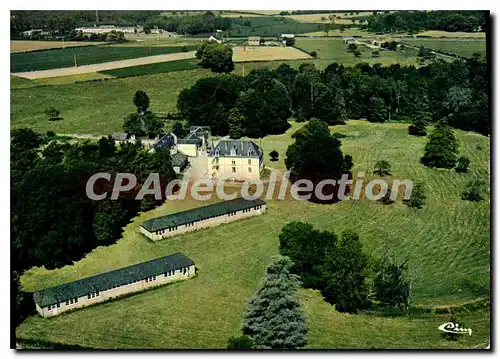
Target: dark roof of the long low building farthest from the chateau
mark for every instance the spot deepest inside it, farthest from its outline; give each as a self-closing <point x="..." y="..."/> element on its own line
<point x="103" y="281"/>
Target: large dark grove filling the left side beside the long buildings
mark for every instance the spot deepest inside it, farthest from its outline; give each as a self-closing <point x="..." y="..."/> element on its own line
<point x="53" y="222"/>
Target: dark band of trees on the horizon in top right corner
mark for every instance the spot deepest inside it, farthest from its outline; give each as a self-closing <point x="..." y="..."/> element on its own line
<point x="415" y="21"/>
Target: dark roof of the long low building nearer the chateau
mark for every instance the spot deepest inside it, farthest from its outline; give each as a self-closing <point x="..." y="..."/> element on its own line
<point x="200" y="213"/>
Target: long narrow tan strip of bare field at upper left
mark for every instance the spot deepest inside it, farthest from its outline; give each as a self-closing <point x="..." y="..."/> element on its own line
<point x="104" y="66"/>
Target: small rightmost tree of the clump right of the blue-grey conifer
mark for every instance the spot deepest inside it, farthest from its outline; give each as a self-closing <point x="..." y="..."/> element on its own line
<point x="391" y="287"/>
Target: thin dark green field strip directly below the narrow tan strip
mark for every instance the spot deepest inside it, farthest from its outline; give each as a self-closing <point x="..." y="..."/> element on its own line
<point x="170" y="66"/>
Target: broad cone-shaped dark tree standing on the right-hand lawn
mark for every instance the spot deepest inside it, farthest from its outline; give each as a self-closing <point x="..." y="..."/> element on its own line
<point x="442" y="148"/>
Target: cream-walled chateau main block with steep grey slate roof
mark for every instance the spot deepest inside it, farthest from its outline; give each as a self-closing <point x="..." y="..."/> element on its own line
<point x="236" y="159"/>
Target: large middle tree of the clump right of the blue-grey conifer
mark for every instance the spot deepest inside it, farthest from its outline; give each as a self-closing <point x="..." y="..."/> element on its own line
<point x="345" y="272"/>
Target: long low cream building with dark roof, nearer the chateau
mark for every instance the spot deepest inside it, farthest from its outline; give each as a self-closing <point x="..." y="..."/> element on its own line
<point x="201" y="217"/>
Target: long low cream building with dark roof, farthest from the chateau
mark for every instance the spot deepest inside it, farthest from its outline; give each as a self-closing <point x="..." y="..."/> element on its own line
<point x="104" y="286"/>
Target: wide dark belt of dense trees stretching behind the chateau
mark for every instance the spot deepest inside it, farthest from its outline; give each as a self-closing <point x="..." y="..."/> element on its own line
<point x="265" y="98"/>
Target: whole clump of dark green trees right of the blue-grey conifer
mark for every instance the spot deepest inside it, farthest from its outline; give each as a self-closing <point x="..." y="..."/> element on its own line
<point x="342" y="272"/>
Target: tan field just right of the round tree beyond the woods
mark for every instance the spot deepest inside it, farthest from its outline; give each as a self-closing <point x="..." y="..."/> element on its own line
<point x="262" y="53"/>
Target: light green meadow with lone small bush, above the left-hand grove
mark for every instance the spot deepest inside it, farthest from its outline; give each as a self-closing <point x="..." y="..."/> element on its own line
<point x="97" y="107"/>
